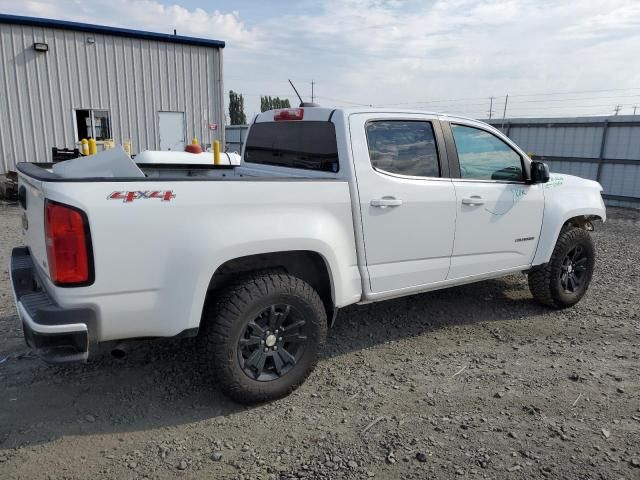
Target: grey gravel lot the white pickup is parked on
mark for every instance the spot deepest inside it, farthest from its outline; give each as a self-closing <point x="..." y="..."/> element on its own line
<point x="477" y="381"/>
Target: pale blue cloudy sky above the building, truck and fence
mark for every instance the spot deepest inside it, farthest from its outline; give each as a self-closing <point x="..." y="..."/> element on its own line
<point x="553" y="58"/>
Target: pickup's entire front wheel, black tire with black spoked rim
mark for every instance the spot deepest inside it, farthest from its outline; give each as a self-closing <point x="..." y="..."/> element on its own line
<point x="565" y="279"/>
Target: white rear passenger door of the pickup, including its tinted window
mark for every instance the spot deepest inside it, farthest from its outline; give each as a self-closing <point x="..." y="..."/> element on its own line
<point x="407" y="202"/>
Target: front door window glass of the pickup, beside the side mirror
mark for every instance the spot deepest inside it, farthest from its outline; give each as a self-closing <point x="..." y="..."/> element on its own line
<point x="483" y="156"/>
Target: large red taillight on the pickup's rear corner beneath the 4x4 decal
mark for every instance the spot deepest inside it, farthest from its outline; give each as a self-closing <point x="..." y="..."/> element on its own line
<point x="67" y="239"/>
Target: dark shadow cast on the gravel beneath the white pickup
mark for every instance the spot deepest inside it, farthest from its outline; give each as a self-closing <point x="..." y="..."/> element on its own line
<point x="159" y="384"/>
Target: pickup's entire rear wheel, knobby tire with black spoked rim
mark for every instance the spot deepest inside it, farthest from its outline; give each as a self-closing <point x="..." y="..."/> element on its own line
<point x="262" y="336"/>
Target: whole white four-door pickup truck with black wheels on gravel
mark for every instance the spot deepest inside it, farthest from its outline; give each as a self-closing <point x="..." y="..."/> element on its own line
<point x="329" y="207"/>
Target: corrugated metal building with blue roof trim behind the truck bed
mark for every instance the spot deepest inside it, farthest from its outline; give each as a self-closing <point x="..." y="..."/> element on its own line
<point x="63" y="81"/>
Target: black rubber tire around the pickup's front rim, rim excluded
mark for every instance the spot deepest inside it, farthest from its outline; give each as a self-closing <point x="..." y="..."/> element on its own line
<point x="544" y="281"/>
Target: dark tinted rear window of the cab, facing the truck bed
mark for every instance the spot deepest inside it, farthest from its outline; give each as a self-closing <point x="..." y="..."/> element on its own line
<point x="307" y="145"/>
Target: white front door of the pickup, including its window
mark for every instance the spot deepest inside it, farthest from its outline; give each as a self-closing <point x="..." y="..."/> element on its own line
<point x="498" y="214"/>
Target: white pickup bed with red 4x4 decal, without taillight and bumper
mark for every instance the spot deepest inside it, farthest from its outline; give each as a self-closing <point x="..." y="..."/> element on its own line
<point x="157" y="241"/>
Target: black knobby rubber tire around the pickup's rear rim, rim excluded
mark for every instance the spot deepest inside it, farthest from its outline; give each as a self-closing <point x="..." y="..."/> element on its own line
<point x="226" y="318"/>
